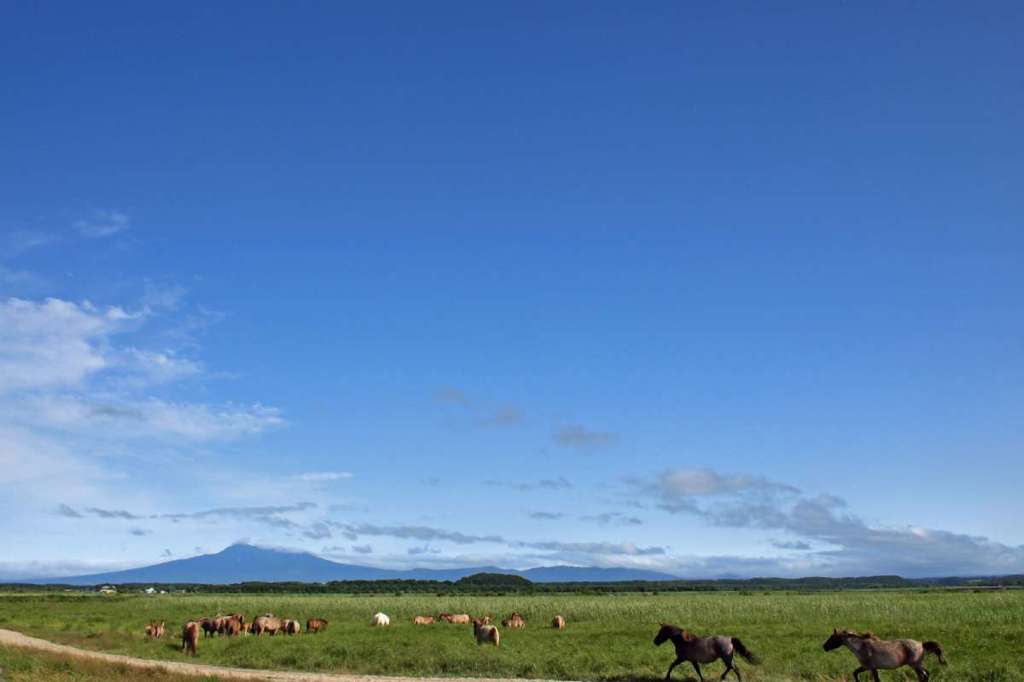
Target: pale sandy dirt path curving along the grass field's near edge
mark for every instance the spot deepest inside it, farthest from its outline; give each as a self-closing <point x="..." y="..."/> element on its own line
<point x="12" y="638"/>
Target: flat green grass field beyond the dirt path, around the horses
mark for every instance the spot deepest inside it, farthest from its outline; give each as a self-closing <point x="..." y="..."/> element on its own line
<point x="609" y="637"/>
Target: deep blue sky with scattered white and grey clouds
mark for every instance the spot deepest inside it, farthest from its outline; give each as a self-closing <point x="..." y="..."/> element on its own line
<point x="717" y="290"/>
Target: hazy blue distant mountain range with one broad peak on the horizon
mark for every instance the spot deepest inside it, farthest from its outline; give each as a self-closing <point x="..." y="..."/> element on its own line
<point x="246" y="564"/>
